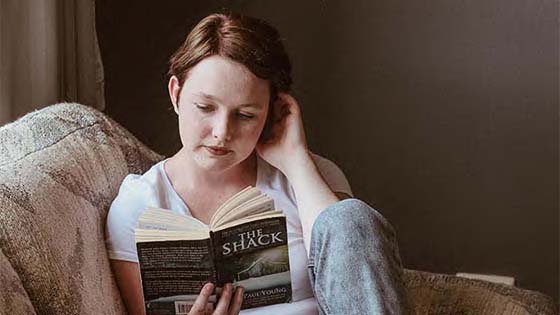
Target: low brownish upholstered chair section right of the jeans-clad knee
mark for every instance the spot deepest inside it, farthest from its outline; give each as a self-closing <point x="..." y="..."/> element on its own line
<point x="441" y="294"/>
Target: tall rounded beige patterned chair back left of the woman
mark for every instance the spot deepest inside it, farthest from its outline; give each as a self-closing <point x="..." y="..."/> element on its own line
<point x="60" y="168"/>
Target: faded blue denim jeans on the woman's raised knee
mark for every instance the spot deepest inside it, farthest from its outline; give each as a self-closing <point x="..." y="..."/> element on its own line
<point x="354" y="263"/>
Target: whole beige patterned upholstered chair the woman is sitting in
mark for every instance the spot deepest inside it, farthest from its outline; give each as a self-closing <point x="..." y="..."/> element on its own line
<point x="61" y="167"/>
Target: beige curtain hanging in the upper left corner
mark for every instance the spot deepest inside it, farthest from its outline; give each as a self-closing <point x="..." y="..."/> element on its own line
<point x="48" y="54"/>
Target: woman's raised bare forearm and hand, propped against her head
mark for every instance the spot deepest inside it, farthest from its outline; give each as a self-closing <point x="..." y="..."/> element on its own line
<point x="287" y="150"/>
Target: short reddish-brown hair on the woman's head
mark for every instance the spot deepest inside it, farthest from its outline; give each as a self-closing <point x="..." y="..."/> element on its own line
<point x="249" y="41"/>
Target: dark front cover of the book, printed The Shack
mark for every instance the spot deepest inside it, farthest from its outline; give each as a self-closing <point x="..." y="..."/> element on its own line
<point x="255" y="256"/>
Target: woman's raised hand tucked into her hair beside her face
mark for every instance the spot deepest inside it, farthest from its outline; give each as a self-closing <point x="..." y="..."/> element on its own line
<point x="286" y="144"/>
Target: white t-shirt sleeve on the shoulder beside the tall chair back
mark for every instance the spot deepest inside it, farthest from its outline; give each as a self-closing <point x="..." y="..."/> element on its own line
<point x="125" y="210"/>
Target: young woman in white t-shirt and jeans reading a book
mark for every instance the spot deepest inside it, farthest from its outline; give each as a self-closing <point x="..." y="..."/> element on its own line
<point x="229" y="85"/>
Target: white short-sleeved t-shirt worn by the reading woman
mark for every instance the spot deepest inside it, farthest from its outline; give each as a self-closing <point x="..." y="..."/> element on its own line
<point x="154" y="189"/>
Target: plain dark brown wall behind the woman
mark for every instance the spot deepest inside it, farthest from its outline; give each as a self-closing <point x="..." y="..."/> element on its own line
<point x="443" y="114"/>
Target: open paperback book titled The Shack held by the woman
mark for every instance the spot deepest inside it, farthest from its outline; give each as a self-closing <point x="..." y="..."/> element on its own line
<point x="246" y="243"/>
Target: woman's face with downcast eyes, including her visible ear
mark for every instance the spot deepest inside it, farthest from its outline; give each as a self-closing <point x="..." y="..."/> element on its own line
<point x="222" y="110"/>
